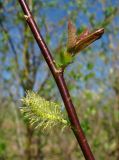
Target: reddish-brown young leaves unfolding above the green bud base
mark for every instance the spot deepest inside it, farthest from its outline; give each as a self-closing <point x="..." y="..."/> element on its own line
<point x="77" y="43"/>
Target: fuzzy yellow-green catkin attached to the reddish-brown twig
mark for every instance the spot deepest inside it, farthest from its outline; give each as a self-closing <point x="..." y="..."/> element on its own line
<point x="42" y="113"/>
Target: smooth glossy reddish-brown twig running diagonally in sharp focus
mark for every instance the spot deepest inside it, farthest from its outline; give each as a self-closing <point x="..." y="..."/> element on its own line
<point x="58" y="76"/>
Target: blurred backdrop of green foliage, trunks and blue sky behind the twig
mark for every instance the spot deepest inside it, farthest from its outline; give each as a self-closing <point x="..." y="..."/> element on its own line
<point x="93" y="79"/>
